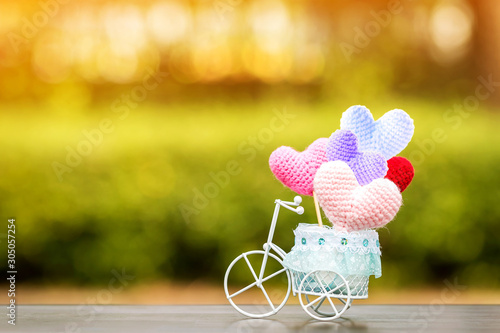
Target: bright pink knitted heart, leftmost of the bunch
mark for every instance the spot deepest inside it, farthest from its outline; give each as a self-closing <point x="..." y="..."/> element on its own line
<point x="296" y="170"/>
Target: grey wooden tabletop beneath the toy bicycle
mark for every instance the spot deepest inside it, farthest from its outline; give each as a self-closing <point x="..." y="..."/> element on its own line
<point x="223" y="318"/>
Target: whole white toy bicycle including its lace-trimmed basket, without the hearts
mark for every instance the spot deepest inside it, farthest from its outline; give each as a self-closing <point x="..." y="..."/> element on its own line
<point x="326" y="269"/>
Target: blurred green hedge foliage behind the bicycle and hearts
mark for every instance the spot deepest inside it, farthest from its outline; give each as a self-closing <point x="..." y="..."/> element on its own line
<point x="121" y="206"/>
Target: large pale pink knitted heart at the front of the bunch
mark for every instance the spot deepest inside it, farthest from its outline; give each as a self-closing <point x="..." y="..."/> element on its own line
<point x="352" y="207"/>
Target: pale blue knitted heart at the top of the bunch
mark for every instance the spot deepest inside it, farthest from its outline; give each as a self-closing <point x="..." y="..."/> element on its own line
<point x="388" y="136"/>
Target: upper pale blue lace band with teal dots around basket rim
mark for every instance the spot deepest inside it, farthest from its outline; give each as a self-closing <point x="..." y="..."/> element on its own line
<point x="310" y="237"/>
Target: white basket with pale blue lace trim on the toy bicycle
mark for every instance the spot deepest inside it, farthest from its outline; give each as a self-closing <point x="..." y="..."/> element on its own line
<point x="355" y="256"/>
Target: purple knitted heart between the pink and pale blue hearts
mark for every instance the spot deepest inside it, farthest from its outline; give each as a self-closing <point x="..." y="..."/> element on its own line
<point x="367" y="166"/>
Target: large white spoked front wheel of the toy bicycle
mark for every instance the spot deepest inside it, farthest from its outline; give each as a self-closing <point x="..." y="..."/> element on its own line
<point x="254" y="299"/>
